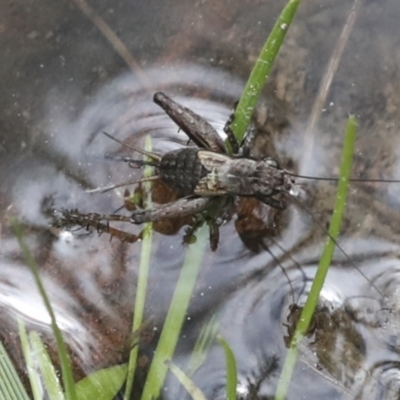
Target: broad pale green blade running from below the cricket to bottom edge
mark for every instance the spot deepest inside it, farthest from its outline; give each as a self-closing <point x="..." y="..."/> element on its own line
<point x="176" y="315"/>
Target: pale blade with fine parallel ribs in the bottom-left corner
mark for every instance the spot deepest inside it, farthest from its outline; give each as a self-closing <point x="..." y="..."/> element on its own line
<point x="11" y="387"/>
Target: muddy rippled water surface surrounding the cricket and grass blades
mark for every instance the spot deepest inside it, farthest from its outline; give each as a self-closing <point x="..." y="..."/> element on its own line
<point x="64" y="84"/>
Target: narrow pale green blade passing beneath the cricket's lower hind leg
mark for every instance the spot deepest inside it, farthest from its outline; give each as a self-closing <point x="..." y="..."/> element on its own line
<point x="144" y="267"/>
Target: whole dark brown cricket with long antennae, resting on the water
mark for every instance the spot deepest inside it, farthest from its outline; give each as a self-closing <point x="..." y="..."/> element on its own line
<point x="208" y="179"/>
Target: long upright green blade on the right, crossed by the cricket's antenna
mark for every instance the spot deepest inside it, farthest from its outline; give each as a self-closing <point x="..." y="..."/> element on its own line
<point x="325" y="261"/>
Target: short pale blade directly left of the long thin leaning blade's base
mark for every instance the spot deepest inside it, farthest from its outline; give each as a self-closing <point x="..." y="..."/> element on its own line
<point x="47" y="369"/>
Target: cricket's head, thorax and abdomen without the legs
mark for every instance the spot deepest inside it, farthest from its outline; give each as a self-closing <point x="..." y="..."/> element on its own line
<point x="192" y="171"/>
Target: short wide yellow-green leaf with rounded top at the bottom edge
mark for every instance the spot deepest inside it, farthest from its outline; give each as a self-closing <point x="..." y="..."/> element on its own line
<point x="103" y="384"/>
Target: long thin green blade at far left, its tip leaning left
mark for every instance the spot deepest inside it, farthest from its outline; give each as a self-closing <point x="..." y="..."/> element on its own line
<point x="68" y="380"/>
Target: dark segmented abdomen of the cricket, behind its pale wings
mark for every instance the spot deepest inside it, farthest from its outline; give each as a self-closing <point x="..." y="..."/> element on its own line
<point x="181" y="170"/>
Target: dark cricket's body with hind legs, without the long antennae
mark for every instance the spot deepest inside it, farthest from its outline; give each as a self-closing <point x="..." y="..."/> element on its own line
<point x="203" y="175"/>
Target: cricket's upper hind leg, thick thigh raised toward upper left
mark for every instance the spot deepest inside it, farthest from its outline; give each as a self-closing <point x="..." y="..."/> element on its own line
<point x="199" y="130"/>
